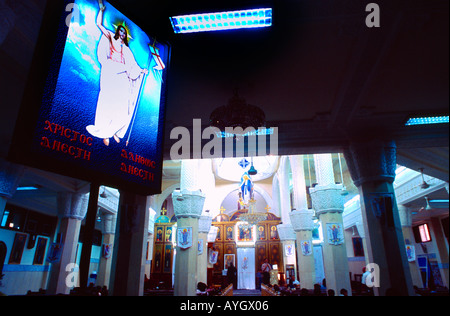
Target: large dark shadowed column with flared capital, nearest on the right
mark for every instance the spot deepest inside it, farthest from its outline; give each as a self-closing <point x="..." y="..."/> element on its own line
<point x="372" y="165"/>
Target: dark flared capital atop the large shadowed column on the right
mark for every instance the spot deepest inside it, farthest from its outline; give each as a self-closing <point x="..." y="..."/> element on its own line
<point x="374" y="160"/>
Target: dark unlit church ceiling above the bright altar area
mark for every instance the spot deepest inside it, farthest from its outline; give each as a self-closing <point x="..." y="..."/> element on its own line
<point x="319" y="73"/>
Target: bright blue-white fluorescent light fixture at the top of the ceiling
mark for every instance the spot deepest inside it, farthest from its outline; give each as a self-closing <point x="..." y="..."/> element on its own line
<point x="222" y="21"/>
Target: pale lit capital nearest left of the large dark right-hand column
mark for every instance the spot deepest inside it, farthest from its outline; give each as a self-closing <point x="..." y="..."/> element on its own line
<point x="327" y="198"/>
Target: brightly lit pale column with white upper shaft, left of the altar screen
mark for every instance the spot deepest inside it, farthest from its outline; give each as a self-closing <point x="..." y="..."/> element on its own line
<point x="188" y="206"/>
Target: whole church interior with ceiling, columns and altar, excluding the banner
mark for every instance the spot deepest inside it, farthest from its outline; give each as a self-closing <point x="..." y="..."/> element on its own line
<point x="350" y="200"/>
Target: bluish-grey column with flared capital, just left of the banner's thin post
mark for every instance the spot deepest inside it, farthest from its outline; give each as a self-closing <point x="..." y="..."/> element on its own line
<point x="72" y="209"/>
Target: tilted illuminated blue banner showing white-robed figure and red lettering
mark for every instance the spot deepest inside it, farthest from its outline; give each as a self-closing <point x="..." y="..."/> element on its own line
<point x="101" y="115"/>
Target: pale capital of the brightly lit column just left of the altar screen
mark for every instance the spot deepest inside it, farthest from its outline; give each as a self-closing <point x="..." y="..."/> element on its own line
<point x="188" y="203"/>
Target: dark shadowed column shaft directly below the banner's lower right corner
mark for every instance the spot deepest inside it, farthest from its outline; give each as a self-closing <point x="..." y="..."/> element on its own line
<point x="130" y="245"/>
